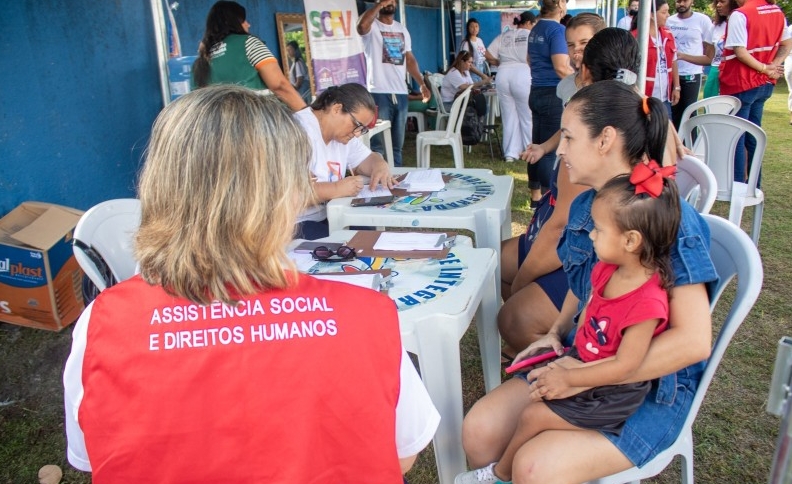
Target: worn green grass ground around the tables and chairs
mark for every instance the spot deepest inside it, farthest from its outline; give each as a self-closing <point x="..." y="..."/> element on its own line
<point x="734" y="437"/>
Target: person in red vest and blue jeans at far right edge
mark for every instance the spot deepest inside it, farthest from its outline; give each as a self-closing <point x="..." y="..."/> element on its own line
<point x="757" y="42"/>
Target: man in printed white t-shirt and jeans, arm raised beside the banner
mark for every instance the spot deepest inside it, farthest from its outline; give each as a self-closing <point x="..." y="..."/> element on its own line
<point x="388" y="48"/>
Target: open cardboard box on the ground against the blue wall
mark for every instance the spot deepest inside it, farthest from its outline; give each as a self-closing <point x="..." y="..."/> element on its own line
<point x="40" y="280"/>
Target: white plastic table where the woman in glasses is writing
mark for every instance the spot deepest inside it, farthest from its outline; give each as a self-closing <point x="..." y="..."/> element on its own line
<point x="474" y="199"/>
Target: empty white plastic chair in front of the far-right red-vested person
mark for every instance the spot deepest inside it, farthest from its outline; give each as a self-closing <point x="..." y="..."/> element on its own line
<point x="720" y="134"/>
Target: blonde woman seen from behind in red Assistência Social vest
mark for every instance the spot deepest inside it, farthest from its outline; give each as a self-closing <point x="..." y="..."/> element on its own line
<point x="219" y="362"/>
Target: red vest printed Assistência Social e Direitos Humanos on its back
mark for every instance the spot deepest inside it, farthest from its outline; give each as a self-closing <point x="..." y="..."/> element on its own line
<point x="290" y="386"/>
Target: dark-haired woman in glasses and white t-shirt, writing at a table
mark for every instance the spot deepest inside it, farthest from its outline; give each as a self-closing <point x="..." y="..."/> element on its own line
<point x="334" y="123"/>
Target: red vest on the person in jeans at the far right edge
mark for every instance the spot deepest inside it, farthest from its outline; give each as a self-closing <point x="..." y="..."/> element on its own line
<point x="765" y="24"/>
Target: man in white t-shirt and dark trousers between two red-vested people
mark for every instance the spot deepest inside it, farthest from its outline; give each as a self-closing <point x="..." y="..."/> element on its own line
<point x="692" y="33"/>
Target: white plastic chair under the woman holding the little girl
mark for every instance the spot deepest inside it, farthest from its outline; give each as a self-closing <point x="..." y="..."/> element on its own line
<point x="733" y="255"/>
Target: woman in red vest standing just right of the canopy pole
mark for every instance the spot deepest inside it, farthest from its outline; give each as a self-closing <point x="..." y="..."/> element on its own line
<point x="662" y="75"/>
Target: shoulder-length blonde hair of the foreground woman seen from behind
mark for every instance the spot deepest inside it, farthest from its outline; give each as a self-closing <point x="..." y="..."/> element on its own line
<point x="225" y="175"/>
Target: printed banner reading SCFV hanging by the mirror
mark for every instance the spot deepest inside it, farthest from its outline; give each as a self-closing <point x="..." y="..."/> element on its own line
<point x="336" y="48"/>
